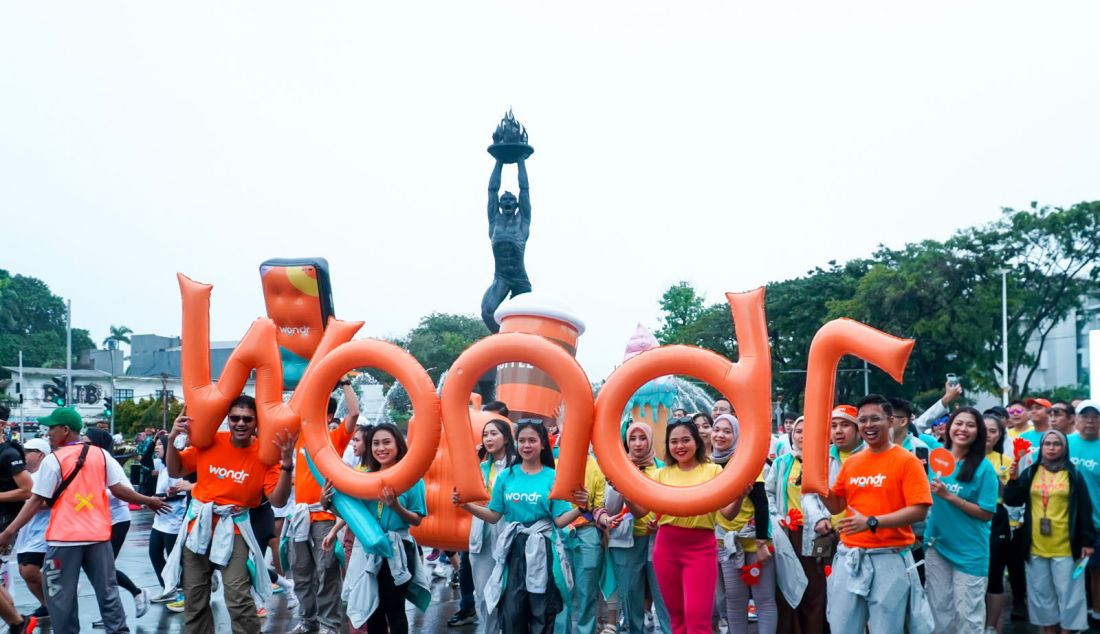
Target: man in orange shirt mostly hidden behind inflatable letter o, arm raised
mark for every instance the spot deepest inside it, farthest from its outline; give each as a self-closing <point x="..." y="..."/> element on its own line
<point x="316" y="572"/>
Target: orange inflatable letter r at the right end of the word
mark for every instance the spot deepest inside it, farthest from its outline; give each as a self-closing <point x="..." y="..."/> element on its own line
<point x="833" y="342"/>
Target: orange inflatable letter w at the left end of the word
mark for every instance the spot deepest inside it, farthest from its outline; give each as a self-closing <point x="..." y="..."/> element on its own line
<point x="208" y="402"/>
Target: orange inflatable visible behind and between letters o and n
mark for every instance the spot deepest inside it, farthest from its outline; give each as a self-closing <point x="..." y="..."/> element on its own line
<point x="447" y="527"/>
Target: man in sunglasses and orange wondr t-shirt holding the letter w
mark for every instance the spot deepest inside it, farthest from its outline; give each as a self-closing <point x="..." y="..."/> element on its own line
<point x="230" y="479"/>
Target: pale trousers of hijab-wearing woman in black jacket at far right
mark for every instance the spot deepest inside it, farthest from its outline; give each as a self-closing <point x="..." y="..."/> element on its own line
<point x="1054" y="597"/>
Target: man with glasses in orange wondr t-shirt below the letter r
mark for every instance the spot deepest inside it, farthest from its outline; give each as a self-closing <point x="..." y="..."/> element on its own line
<point x="885" y="490"/>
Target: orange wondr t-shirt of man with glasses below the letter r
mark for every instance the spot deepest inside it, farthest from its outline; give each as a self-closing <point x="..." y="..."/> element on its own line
<point x="881" y="484"/>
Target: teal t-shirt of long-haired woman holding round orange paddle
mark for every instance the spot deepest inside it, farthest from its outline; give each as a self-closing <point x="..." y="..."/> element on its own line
<point x="962" y="540"/>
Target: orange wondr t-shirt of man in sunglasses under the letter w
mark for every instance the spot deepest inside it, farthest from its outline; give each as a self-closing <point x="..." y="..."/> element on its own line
<point x="228" y="475"/>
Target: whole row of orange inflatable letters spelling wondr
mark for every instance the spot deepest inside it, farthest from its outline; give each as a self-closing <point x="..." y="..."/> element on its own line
<point x="597" y="421"/>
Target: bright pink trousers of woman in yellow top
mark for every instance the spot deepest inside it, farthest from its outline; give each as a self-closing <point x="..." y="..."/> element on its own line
<point x="687" y="565"/>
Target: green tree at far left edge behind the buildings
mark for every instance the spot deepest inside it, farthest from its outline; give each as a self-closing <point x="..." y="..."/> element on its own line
<point x="32" y="320"/>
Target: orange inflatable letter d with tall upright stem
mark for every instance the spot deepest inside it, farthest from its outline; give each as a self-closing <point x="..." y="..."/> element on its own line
<point x="746" y="384"/>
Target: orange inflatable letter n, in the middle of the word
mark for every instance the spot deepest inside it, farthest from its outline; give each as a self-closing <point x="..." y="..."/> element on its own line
<point x="551" y="358"/>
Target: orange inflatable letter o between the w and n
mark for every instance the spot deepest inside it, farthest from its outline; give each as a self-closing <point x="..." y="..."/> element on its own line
<point x="424" y="429"/>
